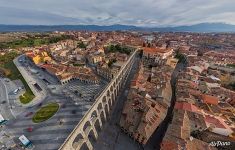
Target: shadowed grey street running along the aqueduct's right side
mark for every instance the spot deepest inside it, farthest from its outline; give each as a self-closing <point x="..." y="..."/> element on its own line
<point x="111" y="137"/>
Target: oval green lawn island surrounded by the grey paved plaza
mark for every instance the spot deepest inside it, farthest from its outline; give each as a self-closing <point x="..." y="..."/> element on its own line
<point x="45" y="112"/>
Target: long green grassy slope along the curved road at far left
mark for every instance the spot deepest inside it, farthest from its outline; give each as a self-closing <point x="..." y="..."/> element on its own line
<point x="14" y="74"/>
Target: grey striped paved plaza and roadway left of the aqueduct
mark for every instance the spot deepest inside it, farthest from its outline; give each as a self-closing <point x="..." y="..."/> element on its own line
<point x="54" y="131"/>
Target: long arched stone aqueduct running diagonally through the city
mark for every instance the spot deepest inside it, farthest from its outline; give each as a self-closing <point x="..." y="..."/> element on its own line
<point x="86" y="132"/>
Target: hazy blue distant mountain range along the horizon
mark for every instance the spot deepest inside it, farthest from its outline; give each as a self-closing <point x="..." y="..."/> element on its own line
<point x="203" y="27"/>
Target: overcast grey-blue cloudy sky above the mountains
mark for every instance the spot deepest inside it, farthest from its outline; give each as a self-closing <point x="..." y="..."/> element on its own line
<point x="150" y="13"/>
